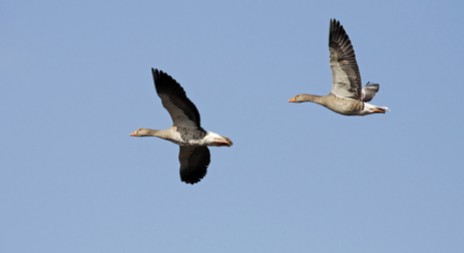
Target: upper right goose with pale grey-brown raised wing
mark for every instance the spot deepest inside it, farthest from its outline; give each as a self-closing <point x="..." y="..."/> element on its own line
<point x="346" y="96"/>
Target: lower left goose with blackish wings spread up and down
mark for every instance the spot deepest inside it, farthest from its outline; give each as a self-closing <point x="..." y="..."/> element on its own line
<point x="186" y="131"/>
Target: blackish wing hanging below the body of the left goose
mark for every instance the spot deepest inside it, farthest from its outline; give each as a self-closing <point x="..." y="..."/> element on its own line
<point x="194" y="161"/>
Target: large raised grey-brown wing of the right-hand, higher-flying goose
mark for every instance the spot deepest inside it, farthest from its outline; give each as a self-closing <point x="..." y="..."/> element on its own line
<point x="346" y="80"/>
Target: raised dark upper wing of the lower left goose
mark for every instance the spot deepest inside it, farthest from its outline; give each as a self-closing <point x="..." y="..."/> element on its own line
<point x="183" y="112"/>
